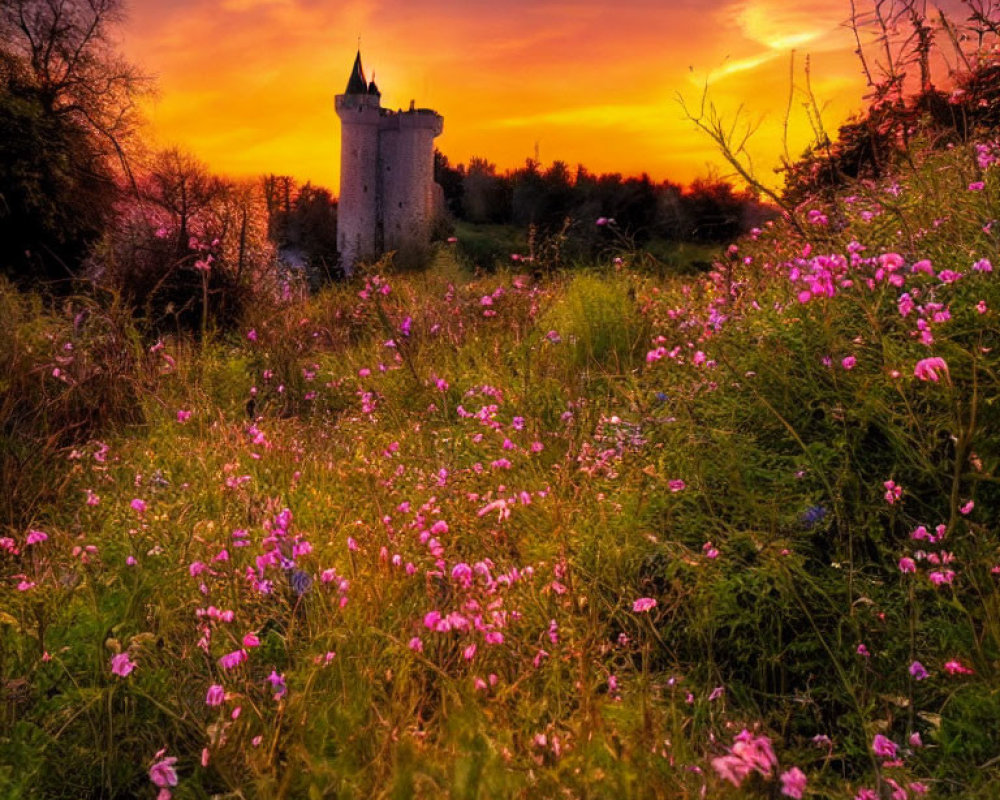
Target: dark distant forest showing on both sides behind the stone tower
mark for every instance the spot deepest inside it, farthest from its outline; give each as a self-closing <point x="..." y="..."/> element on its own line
<point x="302" y="218"/>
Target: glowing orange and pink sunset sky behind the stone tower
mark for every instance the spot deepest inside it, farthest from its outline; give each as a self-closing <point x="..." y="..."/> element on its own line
<point x="248" y="85"/>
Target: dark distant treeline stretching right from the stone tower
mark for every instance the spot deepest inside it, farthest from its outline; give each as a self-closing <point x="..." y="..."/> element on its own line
<point x="709" y="210"/>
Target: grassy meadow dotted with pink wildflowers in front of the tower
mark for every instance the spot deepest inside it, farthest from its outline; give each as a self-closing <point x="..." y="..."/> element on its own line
<point x="531" y="459"/>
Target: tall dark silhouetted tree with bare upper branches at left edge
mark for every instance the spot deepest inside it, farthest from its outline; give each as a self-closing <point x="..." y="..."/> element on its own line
<point x="66" y="122"/>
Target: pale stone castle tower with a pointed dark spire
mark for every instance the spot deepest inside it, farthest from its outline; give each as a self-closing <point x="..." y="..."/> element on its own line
<point x="387" y="190"/>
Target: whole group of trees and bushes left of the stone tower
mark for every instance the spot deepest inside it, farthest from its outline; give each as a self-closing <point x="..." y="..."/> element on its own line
<point x="86" y="206"/>
